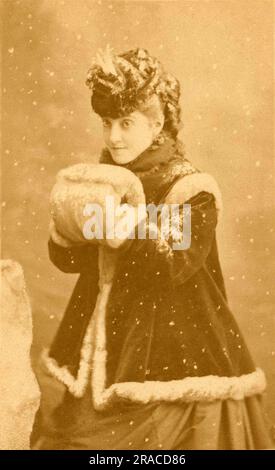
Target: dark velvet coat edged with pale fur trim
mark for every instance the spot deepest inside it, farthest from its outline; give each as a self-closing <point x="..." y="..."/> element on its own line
<point x="147" y="323"/>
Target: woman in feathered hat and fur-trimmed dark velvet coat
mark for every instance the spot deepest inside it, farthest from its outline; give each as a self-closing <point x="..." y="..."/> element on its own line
<point x="148" y="349"/>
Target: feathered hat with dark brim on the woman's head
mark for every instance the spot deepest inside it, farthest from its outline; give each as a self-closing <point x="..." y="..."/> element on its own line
<point x="121" y="83"/>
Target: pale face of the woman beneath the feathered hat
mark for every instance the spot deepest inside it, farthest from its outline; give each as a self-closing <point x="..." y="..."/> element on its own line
<point x="127" y="137"/>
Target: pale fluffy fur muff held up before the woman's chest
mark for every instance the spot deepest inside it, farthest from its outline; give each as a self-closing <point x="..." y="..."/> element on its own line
<point x="83" y="184"/>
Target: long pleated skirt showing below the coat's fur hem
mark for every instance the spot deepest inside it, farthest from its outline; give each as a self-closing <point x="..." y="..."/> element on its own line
<point x="74" y="424"/>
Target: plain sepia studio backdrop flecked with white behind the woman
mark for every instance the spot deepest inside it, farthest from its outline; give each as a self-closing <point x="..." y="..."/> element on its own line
<point x="221" y="51"/>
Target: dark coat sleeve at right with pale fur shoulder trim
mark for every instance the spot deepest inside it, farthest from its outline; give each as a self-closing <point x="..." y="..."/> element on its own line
<point x="160" y="255"/>
